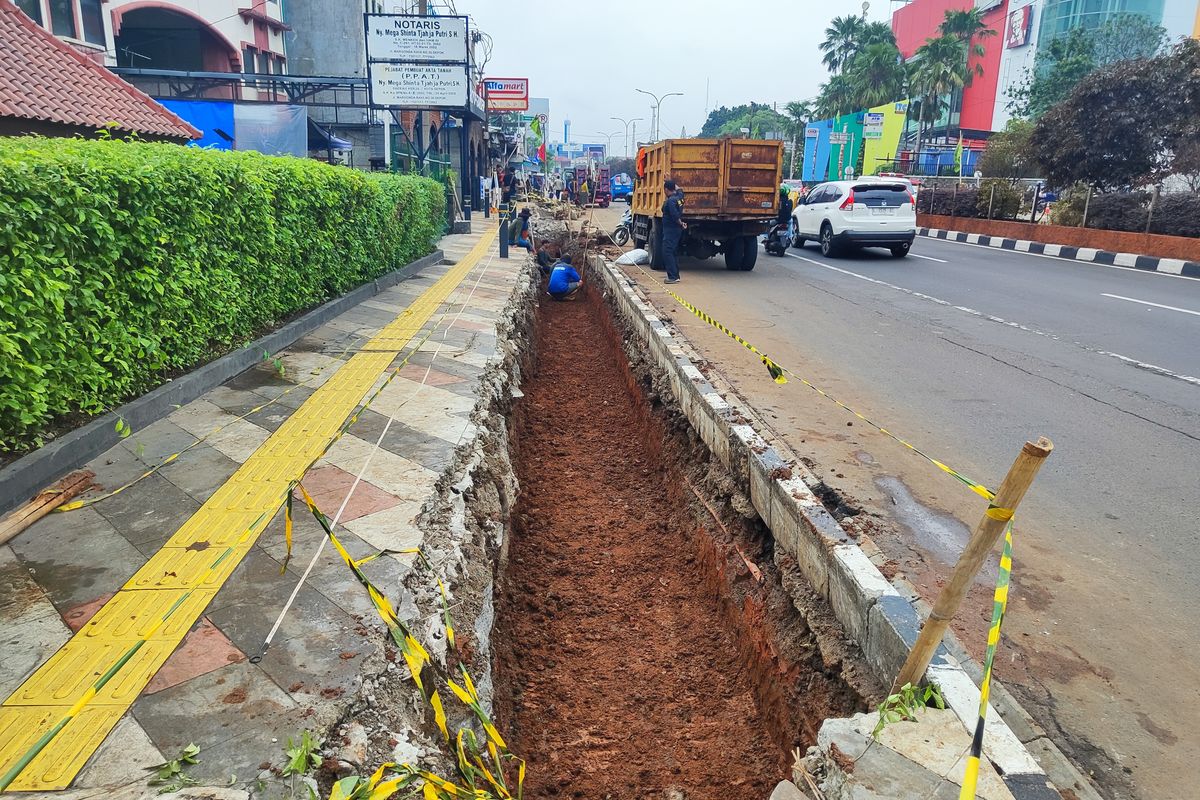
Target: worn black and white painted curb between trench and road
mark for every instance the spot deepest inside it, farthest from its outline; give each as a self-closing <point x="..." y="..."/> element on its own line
<point x="881" y="618"/>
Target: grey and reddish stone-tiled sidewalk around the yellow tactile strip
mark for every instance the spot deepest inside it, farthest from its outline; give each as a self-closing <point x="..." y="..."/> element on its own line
<point x="58" y="574"/>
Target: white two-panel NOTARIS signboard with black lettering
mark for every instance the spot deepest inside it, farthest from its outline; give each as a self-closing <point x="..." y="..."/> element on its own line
<point x="416" y="62"/>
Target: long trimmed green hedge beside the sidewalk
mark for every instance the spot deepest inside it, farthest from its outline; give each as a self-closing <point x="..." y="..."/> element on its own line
<point x="123" y="263"/>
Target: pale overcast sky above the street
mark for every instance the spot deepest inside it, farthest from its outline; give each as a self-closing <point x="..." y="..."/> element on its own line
<point x="589" y="58"/>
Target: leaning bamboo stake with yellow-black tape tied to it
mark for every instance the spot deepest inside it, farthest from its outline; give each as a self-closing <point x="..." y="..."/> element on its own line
<point x="983" y="539"/>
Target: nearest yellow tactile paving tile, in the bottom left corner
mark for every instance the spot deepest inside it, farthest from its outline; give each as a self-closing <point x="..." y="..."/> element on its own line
<point x="21" y="727"/>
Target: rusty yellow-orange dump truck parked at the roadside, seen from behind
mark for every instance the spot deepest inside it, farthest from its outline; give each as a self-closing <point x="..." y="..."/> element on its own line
<point x="731" y="196"/>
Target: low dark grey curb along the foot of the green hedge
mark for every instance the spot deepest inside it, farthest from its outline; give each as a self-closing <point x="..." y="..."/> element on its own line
<point x="29" y="474"/>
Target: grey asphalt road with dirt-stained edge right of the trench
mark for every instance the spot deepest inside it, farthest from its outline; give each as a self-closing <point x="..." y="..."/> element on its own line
<point x="969" y="352"/>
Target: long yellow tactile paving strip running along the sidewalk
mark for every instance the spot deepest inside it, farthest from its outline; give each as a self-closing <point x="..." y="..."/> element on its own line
<point x="53" y="723"/>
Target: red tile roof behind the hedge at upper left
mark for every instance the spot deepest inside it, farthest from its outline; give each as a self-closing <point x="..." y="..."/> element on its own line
<point x="46" y="80"/>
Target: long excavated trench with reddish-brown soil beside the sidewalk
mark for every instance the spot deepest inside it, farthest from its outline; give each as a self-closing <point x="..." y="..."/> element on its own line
<point x="649" y="643"/>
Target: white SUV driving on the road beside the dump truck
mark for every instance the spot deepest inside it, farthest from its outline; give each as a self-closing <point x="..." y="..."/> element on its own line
<point x="869" y="213"/>
